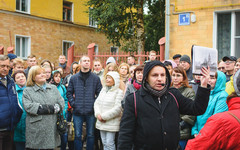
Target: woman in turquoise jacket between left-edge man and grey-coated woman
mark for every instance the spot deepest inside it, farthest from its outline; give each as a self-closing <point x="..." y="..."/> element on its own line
<point x="19" y="132"/>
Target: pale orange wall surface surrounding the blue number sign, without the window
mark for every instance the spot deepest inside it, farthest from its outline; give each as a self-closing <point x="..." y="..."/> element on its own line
<point x="199" y="33"/>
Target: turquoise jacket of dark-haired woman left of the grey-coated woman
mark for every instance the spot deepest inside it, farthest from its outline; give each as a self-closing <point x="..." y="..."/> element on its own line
<point x="19" y="131"/>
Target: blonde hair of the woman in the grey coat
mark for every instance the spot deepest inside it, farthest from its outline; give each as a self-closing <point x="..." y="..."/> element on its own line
<point x="35" y="70"/>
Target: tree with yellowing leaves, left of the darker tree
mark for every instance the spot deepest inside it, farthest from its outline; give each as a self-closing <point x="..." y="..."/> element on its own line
<point x="120" y="20"/>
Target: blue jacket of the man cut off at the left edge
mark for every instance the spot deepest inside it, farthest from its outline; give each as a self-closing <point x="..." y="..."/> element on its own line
<point x="10" y="111"/>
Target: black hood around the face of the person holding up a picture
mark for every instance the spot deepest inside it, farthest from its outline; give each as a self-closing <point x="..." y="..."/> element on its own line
<point x="148" y="67"/>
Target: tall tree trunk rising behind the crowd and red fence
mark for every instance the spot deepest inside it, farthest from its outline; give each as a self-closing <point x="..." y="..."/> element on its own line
<point x="140" y="30"/>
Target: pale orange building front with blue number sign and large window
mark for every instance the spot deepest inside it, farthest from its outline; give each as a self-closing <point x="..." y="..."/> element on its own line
<point x="208" y="23"/>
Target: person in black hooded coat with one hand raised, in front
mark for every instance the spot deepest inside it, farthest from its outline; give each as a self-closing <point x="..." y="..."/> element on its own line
<point x="153" y="124"/>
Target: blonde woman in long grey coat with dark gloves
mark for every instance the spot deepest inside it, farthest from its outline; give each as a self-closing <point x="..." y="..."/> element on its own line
<point x="42" y="102"/>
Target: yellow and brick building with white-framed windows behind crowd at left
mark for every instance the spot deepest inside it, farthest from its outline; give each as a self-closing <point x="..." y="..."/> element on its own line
<point x="47" y="28"/>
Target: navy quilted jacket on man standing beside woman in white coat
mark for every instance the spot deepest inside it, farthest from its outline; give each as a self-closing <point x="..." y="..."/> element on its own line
<point x="85" y="92"/>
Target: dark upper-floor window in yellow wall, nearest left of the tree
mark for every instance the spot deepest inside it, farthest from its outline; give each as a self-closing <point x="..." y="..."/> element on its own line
<point x="67" y="11"/>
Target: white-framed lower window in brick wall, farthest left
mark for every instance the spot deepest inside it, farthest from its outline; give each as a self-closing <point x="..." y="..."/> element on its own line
<point x="23" y="46"/>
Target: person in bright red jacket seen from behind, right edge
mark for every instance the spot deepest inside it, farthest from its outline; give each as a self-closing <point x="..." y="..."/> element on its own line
<point x="221" y="130"/>
